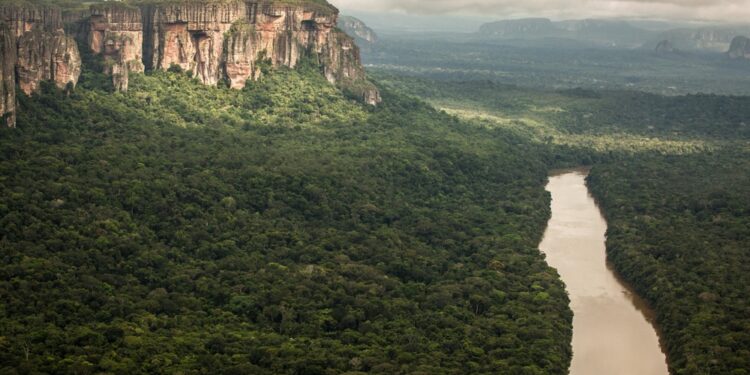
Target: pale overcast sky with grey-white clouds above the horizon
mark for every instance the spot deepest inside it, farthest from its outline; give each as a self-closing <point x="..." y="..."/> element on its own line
<point x="704" y="10"/>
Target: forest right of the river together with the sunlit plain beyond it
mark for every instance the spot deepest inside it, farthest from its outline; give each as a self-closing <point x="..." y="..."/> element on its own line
<point x="673" y="179"/>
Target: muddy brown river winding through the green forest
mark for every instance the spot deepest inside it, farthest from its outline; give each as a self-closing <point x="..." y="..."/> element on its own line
<point x="612" y="329"/>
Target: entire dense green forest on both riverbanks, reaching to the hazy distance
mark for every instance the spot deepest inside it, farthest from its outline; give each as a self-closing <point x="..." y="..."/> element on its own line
<point x="287" y="229"/>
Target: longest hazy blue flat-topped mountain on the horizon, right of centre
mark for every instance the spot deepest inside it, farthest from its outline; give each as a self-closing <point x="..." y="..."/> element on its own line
<point x="611" y="33"/>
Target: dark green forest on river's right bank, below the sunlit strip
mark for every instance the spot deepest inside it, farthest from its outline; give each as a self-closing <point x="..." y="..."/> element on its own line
<point x="679" y="229"/>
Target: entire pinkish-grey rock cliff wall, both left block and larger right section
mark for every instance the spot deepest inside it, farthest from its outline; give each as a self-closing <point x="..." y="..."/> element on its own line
<point x="217" y="41"/>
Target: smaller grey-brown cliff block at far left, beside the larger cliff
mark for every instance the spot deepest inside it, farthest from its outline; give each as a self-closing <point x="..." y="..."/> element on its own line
<point x="34" y="48"/>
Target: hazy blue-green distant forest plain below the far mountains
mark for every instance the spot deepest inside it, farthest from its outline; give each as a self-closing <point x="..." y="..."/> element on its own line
<point x="557" y="64"/>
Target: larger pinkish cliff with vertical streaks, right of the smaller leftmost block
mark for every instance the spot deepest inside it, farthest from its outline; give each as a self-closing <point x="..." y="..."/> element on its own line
<point x="225" y="41"/>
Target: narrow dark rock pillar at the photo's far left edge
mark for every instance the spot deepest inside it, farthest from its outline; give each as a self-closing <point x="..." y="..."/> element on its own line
<point x="7" y="76"/>
